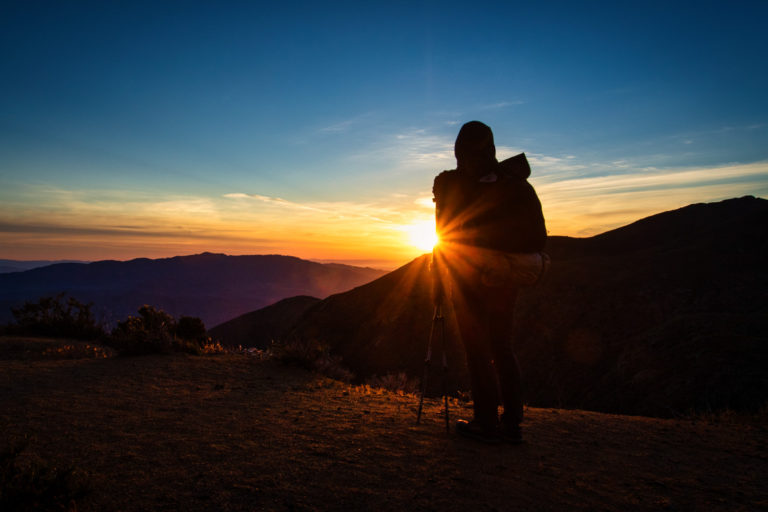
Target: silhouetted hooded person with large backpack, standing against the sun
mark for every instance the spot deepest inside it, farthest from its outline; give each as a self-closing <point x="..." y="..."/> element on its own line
<point x="487" y="215"/>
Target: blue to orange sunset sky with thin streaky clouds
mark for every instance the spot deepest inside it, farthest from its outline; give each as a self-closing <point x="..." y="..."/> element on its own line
<point x="315" y="129"/>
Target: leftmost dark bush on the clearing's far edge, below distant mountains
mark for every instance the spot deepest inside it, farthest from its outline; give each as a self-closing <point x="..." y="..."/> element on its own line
<point x="56" y="317"/>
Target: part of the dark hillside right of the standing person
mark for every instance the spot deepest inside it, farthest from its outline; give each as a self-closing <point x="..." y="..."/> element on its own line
<point x="668" y="313"/>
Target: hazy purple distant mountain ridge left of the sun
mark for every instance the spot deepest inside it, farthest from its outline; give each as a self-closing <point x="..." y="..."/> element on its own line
<point x="214" y="287"/>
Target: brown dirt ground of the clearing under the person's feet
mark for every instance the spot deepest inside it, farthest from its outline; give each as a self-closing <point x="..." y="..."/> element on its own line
<point x="232" y="433"/>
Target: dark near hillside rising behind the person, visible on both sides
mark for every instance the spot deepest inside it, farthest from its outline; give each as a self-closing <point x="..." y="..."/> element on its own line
<point x="662" y="316"/>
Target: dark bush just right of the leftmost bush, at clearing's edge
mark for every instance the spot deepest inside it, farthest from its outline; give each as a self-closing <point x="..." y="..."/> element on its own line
<point x="155" y="331"/>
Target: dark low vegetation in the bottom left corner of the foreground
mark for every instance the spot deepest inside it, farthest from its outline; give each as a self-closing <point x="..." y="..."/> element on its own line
<point x="35" y="485"/>
